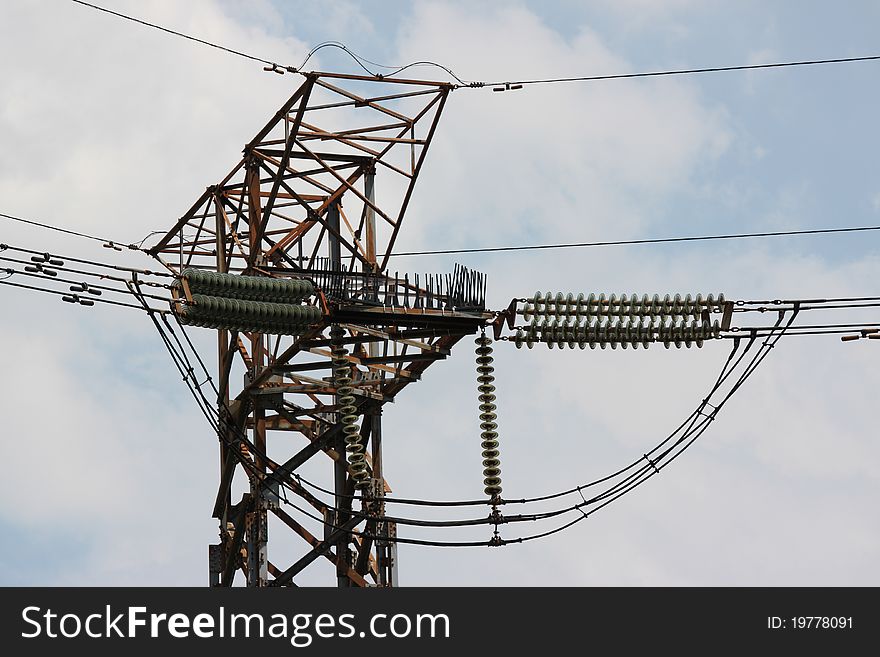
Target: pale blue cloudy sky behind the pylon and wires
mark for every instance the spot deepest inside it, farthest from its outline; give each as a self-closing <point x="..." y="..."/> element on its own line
<point x="114" y="129"/>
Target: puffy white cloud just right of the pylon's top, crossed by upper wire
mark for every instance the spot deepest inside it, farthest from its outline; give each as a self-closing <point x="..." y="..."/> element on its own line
<point x="557" y="162"/>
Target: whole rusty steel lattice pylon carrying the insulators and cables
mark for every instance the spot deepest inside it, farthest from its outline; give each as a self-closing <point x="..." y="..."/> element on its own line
<point x="302" y="203"/>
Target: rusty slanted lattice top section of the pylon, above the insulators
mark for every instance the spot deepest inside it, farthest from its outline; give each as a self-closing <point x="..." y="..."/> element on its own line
<point x="340" y="159"/>
